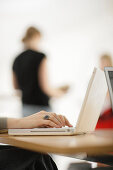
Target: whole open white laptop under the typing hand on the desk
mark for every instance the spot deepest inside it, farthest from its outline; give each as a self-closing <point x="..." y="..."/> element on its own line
<point x="89" y="114"/>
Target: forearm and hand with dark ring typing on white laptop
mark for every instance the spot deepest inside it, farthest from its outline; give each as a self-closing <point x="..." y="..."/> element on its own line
<point x="34" y="121"/>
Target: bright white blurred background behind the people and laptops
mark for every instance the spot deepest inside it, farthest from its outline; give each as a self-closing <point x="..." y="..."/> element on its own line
<point x="75" y="34"/>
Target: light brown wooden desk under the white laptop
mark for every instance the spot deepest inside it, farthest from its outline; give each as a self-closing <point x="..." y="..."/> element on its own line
<point x="98" y="142"/>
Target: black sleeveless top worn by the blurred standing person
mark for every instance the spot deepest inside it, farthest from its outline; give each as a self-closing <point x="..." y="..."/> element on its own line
<point x="26" y="67"/>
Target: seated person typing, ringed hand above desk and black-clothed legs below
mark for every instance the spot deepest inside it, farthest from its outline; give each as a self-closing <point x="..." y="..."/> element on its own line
<point x="12" y="158"/>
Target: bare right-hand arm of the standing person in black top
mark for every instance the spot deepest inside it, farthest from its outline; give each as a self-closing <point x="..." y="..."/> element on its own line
<point x="44" y="82"/>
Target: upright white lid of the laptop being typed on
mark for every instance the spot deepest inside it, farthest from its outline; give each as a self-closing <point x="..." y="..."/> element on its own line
<point x="93" y="102"/>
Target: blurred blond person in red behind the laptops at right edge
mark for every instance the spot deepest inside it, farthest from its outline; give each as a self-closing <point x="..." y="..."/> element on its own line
<point x="106" y="117"/>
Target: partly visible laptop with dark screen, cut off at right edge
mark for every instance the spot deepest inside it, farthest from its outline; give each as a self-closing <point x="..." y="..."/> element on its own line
<point x="109" y="77"/>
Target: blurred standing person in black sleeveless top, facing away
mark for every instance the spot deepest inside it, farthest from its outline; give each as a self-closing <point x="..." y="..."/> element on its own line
<point x="30" y="75"/>
